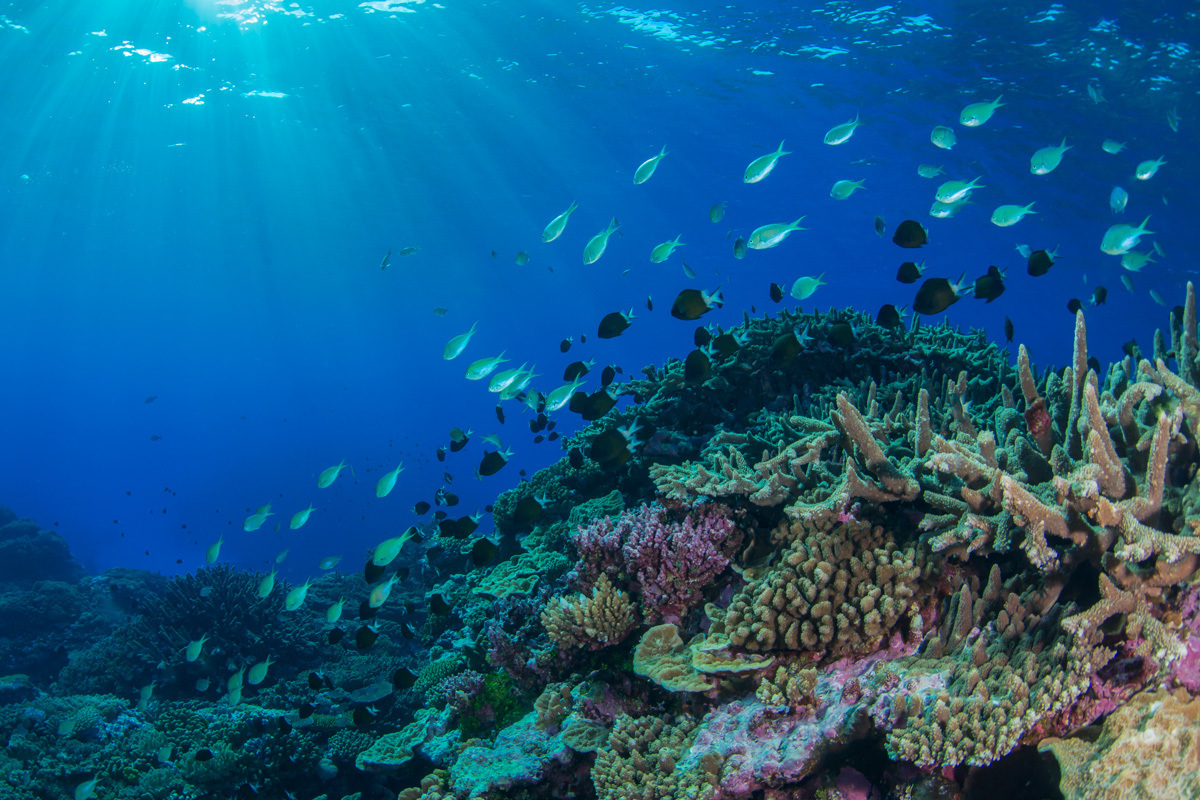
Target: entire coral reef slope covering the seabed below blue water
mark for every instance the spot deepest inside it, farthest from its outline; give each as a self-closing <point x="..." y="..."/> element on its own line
<point x="890" y="567"/>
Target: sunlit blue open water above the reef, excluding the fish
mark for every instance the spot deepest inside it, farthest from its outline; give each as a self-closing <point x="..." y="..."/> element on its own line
<point x="196" y="199"/>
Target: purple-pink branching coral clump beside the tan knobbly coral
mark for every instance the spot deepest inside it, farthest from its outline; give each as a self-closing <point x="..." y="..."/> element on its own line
<point x="673" y="555"/>
